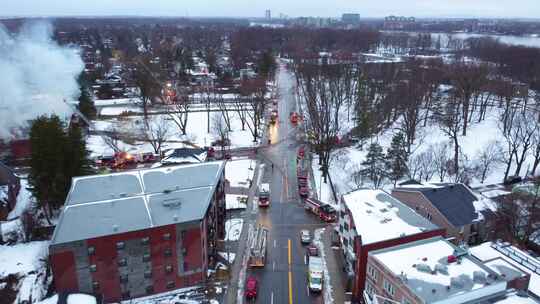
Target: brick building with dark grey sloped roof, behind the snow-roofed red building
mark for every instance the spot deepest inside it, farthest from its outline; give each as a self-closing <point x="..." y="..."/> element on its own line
<point x="453" y="207"/>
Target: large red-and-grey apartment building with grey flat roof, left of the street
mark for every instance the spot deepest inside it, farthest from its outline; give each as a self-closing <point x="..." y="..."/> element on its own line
<point x="136" y="233"/>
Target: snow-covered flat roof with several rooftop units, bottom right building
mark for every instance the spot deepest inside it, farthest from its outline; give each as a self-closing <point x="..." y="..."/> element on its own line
<point x="423" y="267"/>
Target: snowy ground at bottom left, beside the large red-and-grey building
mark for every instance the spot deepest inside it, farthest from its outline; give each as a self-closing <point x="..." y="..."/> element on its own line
<point x="28" y="262"/>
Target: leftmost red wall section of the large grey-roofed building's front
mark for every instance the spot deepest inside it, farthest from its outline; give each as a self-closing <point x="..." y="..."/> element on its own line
<point x="64" y="272"/>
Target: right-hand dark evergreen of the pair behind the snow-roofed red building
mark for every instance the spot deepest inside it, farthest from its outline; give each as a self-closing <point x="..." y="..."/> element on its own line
<point x="397" y="158"/>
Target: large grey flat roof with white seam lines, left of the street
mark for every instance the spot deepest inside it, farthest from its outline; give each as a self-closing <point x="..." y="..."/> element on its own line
<point x="100" y="205"/>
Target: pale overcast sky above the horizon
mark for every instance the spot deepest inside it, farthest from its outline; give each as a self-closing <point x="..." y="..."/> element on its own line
<point x="254" y="8"/>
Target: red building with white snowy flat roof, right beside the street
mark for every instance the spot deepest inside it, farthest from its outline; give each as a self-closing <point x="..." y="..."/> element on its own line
<point x="373" y="220"/>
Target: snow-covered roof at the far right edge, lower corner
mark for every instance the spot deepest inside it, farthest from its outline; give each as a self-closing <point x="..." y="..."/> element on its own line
<point x="519" y="259"/>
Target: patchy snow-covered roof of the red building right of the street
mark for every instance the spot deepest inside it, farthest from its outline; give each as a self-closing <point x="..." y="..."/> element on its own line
<point x="378" y="216"/>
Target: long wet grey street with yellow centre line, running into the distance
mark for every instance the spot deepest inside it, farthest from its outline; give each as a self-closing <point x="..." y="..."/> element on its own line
<point x="284" y="278"/>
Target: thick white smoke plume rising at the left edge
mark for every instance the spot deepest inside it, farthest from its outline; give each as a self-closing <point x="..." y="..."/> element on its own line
<point x="36" y="75"/>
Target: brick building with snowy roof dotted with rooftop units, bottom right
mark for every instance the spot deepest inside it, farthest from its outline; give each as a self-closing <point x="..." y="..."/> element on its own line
<point x="430" y="271"/>
